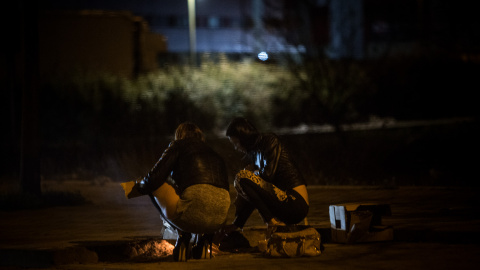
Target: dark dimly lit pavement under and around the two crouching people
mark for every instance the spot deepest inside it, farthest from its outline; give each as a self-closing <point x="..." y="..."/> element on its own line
<point x="433" y="227"/>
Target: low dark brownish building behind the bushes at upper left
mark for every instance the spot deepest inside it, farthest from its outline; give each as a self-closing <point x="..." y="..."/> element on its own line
<point x="112" y="42"/>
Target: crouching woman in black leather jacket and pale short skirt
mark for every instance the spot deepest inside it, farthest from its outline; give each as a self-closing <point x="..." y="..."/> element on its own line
<point x="189" y="186"/>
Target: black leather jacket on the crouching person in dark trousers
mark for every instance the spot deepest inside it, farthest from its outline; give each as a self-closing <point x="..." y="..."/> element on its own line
<point x="274" y="163"/>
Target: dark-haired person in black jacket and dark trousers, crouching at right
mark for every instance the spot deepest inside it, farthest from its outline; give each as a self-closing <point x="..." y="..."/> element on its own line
<point x="272" y="184"/>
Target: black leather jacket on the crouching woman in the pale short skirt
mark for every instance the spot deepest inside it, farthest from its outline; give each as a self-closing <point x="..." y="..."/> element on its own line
<point x="189" y="161"/>
